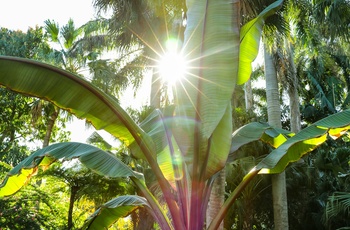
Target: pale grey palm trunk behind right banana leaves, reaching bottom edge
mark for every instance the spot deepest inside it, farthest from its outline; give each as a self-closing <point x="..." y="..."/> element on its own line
<point x="279" y="192"/>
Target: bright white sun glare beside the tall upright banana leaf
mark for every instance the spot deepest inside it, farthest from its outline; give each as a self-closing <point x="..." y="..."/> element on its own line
<point x="172" y="65"/>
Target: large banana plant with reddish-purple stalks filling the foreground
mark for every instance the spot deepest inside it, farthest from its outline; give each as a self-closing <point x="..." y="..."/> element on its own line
<point x="184" y="149"/>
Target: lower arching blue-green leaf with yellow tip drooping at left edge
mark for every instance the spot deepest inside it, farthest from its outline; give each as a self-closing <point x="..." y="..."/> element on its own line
<point x="93" y="158"/>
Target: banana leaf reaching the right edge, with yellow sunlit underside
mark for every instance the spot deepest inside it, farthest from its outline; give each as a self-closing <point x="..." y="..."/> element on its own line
<point x="305" y="141"/>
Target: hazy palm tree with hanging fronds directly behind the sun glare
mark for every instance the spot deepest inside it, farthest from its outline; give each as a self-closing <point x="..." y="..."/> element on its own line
<point x="145" y="24"/>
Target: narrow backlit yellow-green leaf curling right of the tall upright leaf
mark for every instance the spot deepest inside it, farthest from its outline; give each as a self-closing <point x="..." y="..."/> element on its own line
<point x="250" y="39"/>
